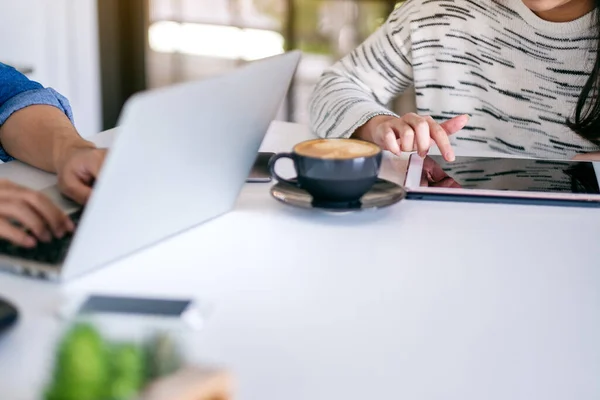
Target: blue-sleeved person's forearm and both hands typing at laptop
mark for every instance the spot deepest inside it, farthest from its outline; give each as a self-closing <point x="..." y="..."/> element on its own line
<point x="36" y="127"/>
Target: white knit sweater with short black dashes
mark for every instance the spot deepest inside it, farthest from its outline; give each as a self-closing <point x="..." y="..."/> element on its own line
<point x="518" y="76"/>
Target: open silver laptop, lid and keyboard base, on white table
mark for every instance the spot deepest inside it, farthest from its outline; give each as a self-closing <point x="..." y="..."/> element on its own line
<point x="180" y="158"/>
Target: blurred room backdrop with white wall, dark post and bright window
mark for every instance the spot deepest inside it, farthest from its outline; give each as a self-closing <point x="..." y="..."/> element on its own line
<point x="100" y="52"/>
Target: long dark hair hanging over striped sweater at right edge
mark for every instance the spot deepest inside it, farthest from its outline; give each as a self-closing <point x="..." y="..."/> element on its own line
<point x="586" y="121"/>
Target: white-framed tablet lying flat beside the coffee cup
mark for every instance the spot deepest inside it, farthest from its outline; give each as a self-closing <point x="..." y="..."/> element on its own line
<point x="504" y="180"/>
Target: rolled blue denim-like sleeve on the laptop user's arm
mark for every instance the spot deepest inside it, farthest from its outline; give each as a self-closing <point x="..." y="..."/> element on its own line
<point x="17" y="92"/>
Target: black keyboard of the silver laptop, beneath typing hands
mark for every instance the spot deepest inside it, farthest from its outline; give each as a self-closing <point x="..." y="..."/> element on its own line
<point x="53" y="252"/>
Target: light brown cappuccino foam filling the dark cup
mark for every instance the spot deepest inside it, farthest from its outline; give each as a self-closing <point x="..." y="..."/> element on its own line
<point x="337" y="149"/>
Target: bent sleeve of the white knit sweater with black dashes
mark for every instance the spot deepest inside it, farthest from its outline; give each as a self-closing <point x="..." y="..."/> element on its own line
<point x="360" y="85"/>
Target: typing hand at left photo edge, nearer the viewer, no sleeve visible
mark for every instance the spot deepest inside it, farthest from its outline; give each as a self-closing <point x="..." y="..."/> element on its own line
<point x="28" y="217"/>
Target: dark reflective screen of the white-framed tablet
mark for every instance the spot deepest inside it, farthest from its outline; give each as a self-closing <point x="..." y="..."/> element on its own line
<point x="510" y="174"/>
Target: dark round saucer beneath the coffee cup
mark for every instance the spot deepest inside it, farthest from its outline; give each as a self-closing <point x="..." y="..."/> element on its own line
<point x="382" y="194"/>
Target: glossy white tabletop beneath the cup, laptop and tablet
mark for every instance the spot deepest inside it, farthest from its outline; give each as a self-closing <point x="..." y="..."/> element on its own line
<point x="419" y="301"/>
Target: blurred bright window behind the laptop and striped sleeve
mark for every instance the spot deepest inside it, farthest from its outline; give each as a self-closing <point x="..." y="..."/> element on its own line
<point x="191" y="39"/>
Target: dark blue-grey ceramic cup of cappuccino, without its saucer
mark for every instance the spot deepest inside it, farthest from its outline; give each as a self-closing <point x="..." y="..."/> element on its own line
<point x="333" y="171"/>
